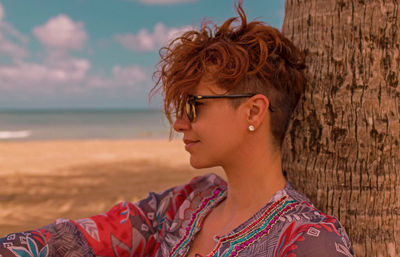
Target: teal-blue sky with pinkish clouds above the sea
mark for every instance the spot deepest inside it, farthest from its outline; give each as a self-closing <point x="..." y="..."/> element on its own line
<point x="98" y="54"/>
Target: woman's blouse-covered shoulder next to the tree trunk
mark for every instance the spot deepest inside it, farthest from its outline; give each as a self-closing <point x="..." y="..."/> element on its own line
<point x="309" y="232"/>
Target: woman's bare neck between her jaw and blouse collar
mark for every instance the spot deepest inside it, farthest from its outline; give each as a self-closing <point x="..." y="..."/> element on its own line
<point x="253" y="178"/>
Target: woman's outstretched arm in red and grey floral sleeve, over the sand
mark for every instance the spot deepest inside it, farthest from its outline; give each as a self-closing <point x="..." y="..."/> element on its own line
<point x="126" y="228"/>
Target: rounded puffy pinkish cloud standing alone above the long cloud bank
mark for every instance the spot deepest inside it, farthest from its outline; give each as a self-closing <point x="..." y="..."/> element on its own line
<point x="61" y="32"/>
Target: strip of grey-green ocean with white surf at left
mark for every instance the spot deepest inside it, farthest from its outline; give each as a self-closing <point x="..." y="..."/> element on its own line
<point x="31" y="125"/>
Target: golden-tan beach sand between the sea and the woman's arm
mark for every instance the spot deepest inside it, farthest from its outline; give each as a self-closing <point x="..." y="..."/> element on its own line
<point x="43" y="181"/>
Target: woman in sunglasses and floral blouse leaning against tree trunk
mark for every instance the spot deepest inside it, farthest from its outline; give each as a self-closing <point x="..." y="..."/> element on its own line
<point x="232" y="91"/>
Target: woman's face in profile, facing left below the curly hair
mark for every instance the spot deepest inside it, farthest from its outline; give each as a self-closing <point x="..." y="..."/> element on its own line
<point x="214" y="138"/>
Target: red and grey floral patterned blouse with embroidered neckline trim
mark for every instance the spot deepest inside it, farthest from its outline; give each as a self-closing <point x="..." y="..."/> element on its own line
<point x="165" y="224"/>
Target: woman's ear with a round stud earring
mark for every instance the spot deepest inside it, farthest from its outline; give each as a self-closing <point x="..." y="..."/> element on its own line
<point x="257" y="110"/>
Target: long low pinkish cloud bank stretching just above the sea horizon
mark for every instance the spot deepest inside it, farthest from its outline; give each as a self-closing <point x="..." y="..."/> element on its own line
<point x="73" y="78"/>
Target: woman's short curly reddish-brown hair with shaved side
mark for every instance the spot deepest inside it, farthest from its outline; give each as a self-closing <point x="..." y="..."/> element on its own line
<point x="241" y="58"/>
